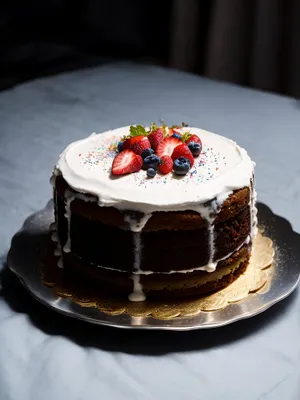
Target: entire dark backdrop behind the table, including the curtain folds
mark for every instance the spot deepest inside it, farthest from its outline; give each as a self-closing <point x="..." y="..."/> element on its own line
<point x="249" y="42"/>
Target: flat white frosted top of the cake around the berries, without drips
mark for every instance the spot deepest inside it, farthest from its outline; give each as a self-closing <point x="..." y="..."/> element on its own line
<point x="221" y="167"/>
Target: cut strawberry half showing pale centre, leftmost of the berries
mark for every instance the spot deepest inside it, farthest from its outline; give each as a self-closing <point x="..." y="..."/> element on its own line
<point x="126" y="162"/>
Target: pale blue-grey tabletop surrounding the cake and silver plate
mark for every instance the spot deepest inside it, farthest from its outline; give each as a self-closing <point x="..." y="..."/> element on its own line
<point x="46" y="356"/>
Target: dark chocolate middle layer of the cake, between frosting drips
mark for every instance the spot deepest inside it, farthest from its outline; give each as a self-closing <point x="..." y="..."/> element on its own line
<point x="161" y="251"/>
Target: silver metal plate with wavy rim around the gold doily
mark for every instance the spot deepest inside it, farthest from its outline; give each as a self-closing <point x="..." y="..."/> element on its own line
<point x="28" y="245"/>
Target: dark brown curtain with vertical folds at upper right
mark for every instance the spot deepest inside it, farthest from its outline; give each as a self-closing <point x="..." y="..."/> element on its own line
<point x="252" y="43"/>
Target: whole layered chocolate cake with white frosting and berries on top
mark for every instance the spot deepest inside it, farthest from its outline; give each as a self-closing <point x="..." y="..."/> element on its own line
<point x="157" y="213"/>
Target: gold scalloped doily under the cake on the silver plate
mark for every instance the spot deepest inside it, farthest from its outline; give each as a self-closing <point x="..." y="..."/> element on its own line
<point x="256" y="279"/>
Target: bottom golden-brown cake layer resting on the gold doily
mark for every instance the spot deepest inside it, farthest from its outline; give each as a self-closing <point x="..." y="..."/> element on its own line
<point x="159" y="286"/>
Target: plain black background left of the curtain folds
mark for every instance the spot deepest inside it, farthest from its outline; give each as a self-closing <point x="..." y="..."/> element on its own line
<point x="42" y="37"/>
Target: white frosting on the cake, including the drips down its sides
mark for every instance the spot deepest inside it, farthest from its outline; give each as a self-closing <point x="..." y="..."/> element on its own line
<point x="222" y="167"/>
